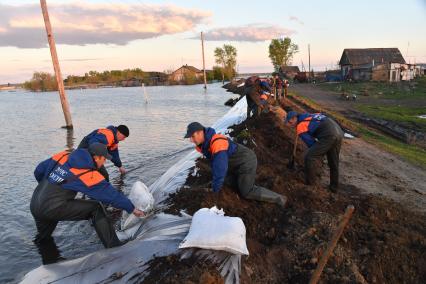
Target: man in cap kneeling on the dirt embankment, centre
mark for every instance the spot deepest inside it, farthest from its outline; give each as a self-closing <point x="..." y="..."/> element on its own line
<point x="232" y="161"/>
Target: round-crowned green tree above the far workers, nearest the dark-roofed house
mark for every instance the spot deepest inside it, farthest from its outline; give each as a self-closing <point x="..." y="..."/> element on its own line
<point x="281" y="52"/>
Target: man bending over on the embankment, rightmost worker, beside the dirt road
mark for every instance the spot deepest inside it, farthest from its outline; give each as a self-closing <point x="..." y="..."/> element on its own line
<point x="323" y="136"/>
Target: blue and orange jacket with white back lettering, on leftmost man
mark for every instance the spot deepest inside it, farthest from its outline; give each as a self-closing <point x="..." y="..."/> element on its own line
<point x="77" y="171"/>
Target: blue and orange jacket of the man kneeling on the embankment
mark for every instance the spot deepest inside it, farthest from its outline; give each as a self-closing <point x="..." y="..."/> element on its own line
<point x="217" y="148"/>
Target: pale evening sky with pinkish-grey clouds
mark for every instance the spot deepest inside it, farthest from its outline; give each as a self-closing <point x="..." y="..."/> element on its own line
<point x="159" y="35"/>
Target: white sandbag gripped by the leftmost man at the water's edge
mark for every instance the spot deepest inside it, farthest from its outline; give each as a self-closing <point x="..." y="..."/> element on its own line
<point x="142" y="199"/>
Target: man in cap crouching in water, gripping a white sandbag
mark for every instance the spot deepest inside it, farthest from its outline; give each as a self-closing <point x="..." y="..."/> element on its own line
<point x="60" y="178"/>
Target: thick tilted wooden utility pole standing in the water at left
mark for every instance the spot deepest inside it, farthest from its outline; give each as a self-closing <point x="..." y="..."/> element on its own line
<point x="58" y="75"/>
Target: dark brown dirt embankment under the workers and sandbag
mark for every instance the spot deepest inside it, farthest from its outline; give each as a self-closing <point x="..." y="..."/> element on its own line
<point x="383" y="243"/>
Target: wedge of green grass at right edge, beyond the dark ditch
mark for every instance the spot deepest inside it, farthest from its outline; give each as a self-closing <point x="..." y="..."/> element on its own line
<point x="404" y="115"/>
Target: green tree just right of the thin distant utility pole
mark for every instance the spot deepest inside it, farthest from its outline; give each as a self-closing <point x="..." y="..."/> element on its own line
<point x="226" y="57"/>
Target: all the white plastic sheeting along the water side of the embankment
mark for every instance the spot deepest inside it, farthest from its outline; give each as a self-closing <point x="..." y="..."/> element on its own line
<point x="157" y="235"/>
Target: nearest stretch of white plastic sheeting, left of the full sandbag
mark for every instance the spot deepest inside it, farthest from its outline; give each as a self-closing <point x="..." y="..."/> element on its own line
<point x="160" y="236"/>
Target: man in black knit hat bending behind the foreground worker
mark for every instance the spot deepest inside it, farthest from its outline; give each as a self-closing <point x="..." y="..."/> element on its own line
<point x="110" y="137"/>
